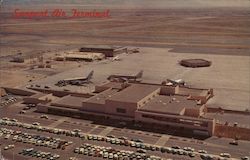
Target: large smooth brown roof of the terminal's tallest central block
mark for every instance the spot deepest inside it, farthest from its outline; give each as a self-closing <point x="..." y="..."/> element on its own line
<point x="134" y="93"/>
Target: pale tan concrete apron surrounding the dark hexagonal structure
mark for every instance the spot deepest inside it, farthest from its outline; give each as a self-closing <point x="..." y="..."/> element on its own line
<point x="228" y="75"/>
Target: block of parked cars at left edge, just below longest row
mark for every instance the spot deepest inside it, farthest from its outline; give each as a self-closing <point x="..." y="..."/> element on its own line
<point x="38" y="140"/>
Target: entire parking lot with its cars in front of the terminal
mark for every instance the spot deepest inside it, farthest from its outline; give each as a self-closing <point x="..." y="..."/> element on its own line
<point x="43" y="133"/>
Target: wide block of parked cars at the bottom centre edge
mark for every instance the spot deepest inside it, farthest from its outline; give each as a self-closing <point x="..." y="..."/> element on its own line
<point x="111" y="153"/>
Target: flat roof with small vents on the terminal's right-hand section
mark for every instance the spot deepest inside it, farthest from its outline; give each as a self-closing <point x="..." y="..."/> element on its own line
<point x="169" y="105"/>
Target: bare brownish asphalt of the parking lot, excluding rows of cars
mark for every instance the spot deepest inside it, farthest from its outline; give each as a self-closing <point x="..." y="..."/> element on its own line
<point x="212" y="145"/>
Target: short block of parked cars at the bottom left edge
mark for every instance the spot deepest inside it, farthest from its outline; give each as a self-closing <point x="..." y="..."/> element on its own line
<point x="39" y="154"/>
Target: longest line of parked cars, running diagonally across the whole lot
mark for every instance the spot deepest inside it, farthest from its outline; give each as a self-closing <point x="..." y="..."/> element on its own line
<point x="137" y="143"/>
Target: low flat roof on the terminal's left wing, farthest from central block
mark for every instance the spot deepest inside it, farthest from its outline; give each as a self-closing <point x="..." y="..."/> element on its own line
<point x="69" y="102"/>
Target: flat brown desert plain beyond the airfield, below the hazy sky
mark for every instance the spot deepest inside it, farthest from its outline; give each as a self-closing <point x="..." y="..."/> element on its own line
<point x="204" y="30"/>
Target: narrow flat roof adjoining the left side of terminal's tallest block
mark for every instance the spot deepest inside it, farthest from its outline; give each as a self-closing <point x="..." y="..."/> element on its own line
<point x="100" y="98"/>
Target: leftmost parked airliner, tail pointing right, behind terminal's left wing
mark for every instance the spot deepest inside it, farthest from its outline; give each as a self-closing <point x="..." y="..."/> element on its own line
<point x="75" y="81"/>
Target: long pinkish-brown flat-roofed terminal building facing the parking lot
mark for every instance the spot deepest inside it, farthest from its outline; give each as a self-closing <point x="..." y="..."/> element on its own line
<point x="155" y="104"/>
